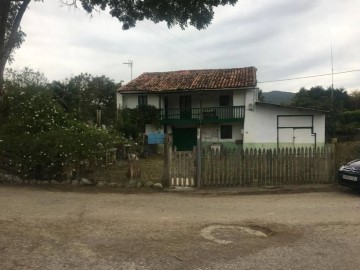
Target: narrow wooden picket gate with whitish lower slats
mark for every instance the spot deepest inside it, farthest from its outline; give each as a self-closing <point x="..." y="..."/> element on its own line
<point x="182" y="168"/>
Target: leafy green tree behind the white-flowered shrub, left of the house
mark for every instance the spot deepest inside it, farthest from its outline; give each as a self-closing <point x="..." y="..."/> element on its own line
<point x="82" y="96"/>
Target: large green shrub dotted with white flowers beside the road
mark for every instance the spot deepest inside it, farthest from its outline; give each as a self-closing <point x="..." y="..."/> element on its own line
<point x="38" y="138"/>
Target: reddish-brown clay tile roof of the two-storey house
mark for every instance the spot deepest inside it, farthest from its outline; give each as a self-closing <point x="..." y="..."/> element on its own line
<point x="192" y="80"/>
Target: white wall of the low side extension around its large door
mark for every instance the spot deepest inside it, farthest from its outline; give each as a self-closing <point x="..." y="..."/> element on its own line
<point x="260" y="127"/>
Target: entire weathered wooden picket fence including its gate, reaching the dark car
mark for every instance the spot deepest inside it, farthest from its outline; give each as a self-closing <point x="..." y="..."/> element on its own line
<point x="259" y="167"/>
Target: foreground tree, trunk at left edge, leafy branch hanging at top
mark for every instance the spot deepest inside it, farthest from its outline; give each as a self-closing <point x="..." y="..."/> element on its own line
<point x="197" y="13"/>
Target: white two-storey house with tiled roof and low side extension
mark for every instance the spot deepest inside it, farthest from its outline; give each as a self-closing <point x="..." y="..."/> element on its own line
<point x="223" y="104"/>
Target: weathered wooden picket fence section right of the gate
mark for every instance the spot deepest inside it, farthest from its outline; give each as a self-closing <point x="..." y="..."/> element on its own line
<point x="272" y="167"/>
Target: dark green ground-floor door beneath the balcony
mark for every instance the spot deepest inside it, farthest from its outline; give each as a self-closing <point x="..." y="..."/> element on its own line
<point x="184" y="138"/>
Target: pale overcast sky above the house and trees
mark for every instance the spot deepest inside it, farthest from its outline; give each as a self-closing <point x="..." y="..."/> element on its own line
<point x="283" y="39"/>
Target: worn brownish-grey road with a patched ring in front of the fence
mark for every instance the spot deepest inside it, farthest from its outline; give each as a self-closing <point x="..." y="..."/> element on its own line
<point x="44" y="229"/>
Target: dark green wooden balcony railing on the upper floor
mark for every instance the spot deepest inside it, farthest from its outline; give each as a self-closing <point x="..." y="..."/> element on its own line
<point x="205" y="115"/>
